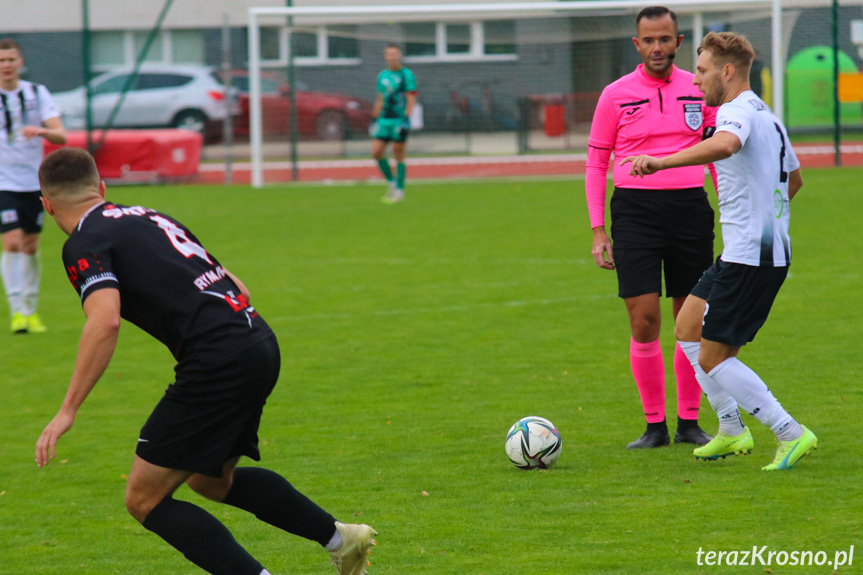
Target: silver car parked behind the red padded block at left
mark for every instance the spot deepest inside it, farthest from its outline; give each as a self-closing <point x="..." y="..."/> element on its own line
<point x="187" y="97"/>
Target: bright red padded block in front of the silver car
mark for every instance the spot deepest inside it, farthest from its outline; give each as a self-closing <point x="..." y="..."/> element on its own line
<point x="142" y="155"/>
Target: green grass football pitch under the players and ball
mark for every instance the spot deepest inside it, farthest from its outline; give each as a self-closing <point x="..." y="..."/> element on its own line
<point x="413" y="336"/>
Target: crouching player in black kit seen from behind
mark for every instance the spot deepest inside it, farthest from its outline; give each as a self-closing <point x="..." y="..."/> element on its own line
<point x="143" y="266"/>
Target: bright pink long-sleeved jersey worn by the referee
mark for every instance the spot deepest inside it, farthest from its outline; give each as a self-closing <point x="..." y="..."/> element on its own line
<point x="640" y="114"/>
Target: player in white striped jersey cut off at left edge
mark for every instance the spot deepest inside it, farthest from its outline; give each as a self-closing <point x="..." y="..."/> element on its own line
<point x="27" y="114"/>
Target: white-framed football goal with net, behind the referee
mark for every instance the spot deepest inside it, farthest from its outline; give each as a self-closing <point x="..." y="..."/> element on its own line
<point x="495" y="80"/>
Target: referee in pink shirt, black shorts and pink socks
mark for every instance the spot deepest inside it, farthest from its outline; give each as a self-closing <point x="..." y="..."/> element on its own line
<point x="660" y="223"/>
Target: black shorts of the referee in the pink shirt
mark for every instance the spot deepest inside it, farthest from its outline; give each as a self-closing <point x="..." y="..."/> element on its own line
<point x="652" y="229"/>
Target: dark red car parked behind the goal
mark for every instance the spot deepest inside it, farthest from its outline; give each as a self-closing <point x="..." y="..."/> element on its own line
<point x="320" y="115"/>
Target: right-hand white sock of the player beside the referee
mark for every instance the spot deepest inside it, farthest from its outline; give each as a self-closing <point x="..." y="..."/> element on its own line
<point x="752" y="394"/>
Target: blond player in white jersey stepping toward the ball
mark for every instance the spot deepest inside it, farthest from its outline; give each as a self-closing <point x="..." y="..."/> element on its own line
<point x="758" y="175"/>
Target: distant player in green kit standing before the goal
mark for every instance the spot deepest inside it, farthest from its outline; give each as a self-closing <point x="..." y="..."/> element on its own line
<point x="397" y="94"/>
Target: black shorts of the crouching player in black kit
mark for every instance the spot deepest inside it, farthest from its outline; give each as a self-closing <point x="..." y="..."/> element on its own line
<point x="204" y="420"/>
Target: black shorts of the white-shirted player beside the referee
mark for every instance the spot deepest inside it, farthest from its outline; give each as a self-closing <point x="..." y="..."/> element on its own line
<point x="739" y="298"/>
